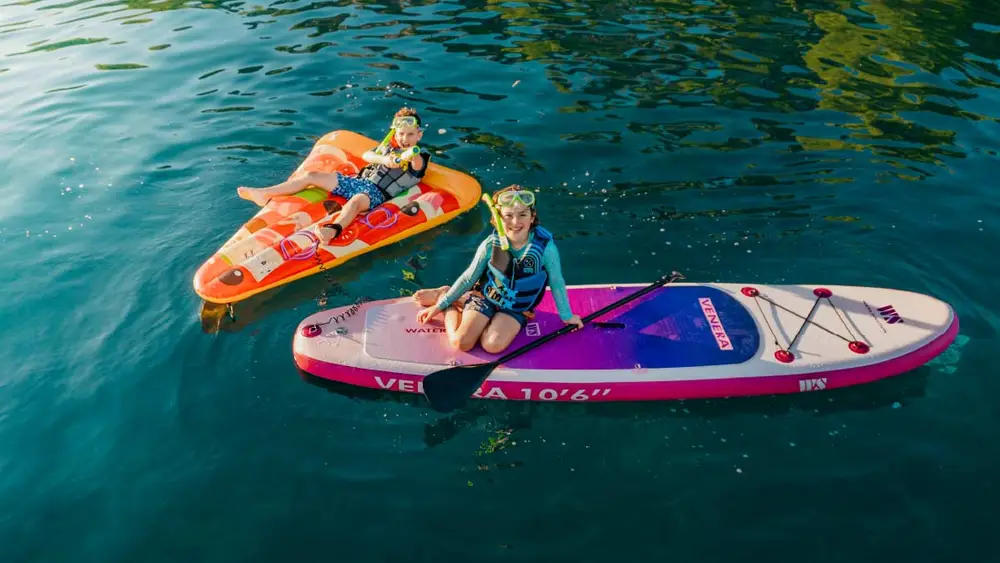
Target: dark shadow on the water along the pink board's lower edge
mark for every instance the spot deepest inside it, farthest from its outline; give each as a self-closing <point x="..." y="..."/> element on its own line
<point x="519" y="415"/>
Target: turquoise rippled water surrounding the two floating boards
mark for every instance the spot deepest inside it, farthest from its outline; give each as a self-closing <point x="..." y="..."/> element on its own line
<point x="800" y="142"/>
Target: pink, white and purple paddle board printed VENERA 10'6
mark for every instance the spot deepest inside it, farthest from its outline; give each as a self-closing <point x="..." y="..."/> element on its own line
<point x="680" y="341"/>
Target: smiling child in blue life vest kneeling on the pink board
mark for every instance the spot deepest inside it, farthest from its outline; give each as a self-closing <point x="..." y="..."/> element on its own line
<point x="509" y="284"/>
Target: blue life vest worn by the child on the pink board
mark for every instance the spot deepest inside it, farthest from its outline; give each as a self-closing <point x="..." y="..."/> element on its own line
<point x="516" y="284"/>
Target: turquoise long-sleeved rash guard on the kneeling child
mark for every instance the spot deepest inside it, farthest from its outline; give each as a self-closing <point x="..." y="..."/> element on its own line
<point x="476" y="270"/>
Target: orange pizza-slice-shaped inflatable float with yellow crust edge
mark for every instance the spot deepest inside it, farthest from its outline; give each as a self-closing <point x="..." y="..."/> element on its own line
<point x="280" y="243"/>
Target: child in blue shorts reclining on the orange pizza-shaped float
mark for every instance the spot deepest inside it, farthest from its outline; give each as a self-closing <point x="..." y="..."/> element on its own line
<point x="385" y="177"/>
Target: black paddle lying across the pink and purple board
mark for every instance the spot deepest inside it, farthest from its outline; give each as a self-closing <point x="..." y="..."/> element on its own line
<point x="448" y="388"/>
